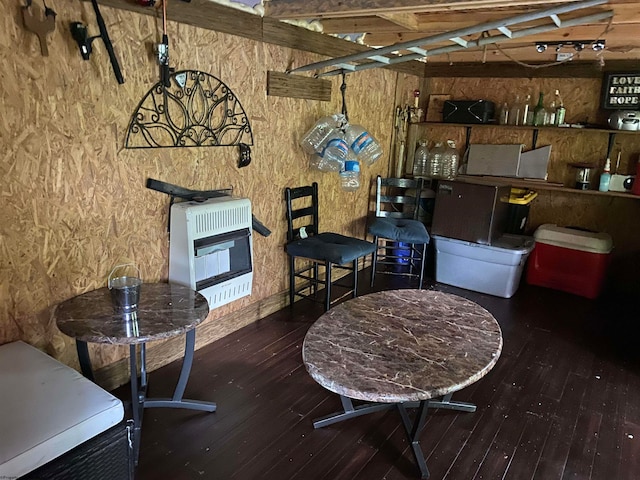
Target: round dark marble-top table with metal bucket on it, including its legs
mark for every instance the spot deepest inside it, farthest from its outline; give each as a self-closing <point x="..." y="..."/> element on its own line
<point x="164" y="310"/>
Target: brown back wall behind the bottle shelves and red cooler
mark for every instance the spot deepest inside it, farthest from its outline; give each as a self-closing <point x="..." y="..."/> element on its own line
<point x="616" y="216"/>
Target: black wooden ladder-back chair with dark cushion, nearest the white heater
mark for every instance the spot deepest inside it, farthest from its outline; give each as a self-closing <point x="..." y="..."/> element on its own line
<point x="305" y="242"/>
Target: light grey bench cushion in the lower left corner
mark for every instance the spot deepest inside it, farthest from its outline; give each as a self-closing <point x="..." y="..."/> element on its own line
<point x="48" y="408"/>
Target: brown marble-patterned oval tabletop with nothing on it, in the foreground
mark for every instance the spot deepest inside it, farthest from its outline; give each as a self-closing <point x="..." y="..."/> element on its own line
<point x="401" y="346"/>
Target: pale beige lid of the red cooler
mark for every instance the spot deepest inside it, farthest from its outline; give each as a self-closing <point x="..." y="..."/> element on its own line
<point x="593" y="242"/>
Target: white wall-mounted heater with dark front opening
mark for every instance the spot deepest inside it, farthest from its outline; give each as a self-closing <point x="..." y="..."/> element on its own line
<point x="211" y="248"/>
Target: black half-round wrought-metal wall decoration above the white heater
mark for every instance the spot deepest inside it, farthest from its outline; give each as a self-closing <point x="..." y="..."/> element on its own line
<point x="196" y="110"/>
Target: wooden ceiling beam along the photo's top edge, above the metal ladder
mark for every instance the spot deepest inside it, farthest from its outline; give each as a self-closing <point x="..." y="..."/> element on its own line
<point x="296" y="9"/>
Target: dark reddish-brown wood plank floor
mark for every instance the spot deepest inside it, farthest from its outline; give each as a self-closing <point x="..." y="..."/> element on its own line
<point x="563" y="402"/>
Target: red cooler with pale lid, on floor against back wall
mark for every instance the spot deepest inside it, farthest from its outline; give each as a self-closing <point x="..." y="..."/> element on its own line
<point x="570" y="260"/>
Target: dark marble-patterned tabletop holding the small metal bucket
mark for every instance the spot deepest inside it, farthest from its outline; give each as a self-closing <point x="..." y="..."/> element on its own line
<point x="165" y="310"/>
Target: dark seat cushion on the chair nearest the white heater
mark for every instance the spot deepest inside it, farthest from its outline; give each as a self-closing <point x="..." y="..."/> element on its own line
<point x="333" y="247"/>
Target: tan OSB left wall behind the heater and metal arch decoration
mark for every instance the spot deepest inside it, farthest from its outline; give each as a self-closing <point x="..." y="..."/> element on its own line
<point x="74" y="200"/>
